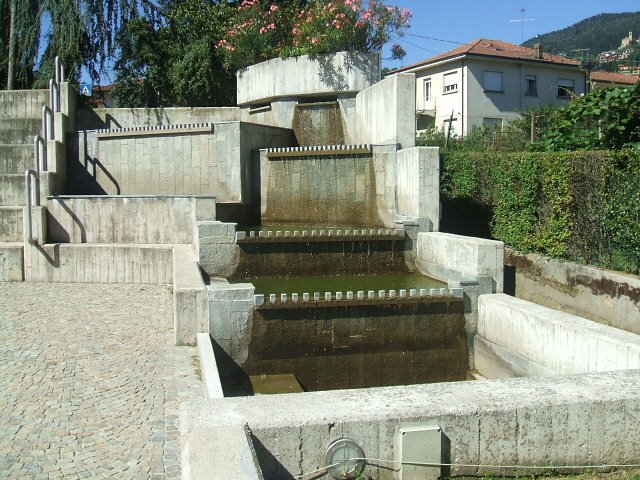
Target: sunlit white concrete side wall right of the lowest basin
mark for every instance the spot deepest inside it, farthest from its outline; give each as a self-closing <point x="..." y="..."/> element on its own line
<point x="536" y="340"/>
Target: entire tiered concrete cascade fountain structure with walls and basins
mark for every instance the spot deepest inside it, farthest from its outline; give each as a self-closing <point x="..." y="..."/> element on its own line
<point x="162" y="197"/>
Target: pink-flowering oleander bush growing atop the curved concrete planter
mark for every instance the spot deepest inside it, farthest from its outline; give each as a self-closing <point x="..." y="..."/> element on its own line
<point x="262" y="30"/>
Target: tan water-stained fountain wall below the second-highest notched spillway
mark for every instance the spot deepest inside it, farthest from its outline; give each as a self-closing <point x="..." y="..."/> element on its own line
<point x="339" y="190"/>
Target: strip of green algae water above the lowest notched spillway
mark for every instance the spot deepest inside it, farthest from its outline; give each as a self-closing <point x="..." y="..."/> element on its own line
<point x="309" y="284"/>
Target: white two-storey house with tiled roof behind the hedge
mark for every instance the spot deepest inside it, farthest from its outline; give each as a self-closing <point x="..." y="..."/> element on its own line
<point x="490" y="82"/>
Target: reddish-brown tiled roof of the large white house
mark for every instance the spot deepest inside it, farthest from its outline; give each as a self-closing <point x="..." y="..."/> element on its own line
<point x="494" y="48"/>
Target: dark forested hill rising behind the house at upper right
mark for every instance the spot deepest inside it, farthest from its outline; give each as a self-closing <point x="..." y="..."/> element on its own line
<point x="599" y="33"/>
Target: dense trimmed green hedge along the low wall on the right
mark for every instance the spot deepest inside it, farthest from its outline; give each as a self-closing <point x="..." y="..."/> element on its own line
<point x="582" y="206"/>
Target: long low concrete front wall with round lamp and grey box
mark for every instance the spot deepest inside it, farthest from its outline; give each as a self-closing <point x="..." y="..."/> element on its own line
<point x="552" y="421"/>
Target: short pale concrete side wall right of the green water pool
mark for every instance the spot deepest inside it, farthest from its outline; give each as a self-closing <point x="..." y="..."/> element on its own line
<point x="447" y="257"/>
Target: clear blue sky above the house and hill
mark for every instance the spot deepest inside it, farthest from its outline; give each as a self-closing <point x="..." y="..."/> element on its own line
<point x="466" y="20"/>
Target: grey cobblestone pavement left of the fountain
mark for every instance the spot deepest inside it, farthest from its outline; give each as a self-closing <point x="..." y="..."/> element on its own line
<point x="90" y="381"/>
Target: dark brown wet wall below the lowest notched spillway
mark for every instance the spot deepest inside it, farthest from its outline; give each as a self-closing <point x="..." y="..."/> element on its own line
<point x="351" y="345"/>
